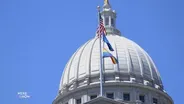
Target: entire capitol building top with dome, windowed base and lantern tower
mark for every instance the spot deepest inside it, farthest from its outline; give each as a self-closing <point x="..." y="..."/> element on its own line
<point x="134" y="79"/>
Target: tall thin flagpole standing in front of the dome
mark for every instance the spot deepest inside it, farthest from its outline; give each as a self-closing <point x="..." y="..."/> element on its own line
<point x="101" y="56"/>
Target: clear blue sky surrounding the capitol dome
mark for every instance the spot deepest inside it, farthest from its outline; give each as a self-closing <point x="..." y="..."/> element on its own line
<point x="37" y="38"/>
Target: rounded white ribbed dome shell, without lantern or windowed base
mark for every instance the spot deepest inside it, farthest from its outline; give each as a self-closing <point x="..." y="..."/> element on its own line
<point x="134" y="65"/>
